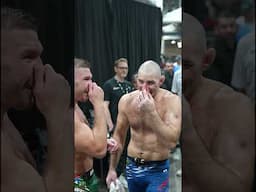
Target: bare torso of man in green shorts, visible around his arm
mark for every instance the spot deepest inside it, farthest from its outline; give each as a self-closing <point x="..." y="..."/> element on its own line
<point x="83" y="162"/>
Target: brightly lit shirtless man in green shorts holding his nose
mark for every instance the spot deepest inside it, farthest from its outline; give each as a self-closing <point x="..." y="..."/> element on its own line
<point x="89" y="142"/>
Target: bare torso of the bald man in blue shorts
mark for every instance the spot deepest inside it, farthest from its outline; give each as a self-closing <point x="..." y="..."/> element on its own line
<point x="144" y="142"/>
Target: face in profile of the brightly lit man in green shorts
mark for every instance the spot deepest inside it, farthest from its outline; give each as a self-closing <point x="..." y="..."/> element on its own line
<point x="83" y="77"/>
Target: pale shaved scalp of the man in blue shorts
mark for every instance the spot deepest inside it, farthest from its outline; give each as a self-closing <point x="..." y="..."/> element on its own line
<point x="150" y="68"/>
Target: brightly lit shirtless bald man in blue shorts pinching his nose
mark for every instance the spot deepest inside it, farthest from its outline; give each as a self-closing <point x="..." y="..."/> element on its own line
<point x="154" y="115"/>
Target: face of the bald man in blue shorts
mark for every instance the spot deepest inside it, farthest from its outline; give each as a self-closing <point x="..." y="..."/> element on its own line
<point x="149" y="82"/>
